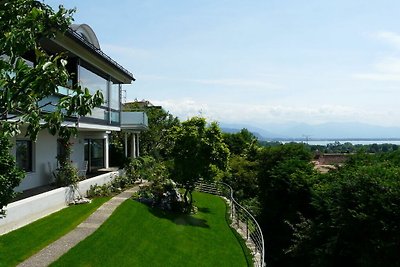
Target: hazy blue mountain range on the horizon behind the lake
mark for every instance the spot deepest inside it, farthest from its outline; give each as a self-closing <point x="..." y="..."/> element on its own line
<point x="325" y="131"/>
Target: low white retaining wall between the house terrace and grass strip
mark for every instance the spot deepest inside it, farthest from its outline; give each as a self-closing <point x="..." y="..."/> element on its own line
<point x="27" y="210"/>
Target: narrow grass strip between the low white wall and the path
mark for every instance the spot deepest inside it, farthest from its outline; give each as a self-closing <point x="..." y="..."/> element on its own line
<point x="20" y="244"/>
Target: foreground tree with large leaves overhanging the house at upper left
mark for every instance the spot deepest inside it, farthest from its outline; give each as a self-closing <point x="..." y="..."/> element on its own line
<point x="25" y="89"/>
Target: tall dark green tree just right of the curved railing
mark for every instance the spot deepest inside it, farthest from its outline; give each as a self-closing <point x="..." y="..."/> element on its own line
<point x="285" y="178"/>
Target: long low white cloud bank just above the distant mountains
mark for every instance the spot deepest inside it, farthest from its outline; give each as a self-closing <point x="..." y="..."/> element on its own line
<point x="270" y="113"/>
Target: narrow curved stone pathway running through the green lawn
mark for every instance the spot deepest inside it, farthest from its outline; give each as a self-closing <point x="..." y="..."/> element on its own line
<point x="56" y="249"/>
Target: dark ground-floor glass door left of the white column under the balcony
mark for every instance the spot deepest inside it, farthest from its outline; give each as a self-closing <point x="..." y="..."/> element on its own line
<point x="94" y="154"/>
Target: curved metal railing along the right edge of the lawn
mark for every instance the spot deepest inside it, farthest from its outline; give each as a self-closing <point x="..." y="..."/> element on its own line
<point x="242" y="220"/>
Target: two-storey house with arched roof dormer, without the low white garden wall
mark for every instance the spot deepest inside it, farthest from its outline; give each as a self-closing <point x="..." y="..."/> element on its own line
<point x="91" y="68"/>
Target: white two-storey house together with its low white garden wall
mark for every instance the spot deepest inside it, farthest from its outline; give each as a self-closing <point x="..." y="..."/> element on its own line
<point x="91" y="68"/>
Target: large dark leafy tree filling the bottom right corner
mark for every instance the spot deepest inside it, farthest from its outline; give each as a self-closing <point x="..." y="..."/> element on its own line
<point x="357" y="210"/>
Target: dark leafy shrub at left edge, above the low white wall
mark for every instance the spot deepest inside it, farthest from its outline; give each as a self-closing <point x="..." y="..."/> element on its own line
<point x="10" y="174"/>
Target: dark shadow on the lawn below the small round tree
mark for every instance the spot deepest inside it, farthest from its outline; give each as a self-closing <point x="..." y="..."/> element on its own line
<point x="179" y="219"/>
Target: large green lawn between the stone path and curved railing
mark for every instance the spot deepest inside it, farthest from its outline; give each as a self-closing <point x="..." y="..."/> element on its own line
<point x="136" y="235"/>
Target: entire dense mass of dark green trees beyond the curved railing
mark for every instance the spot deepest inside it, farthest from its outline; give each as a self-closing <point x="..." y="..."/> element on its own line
<point x="347" y="217"/>
